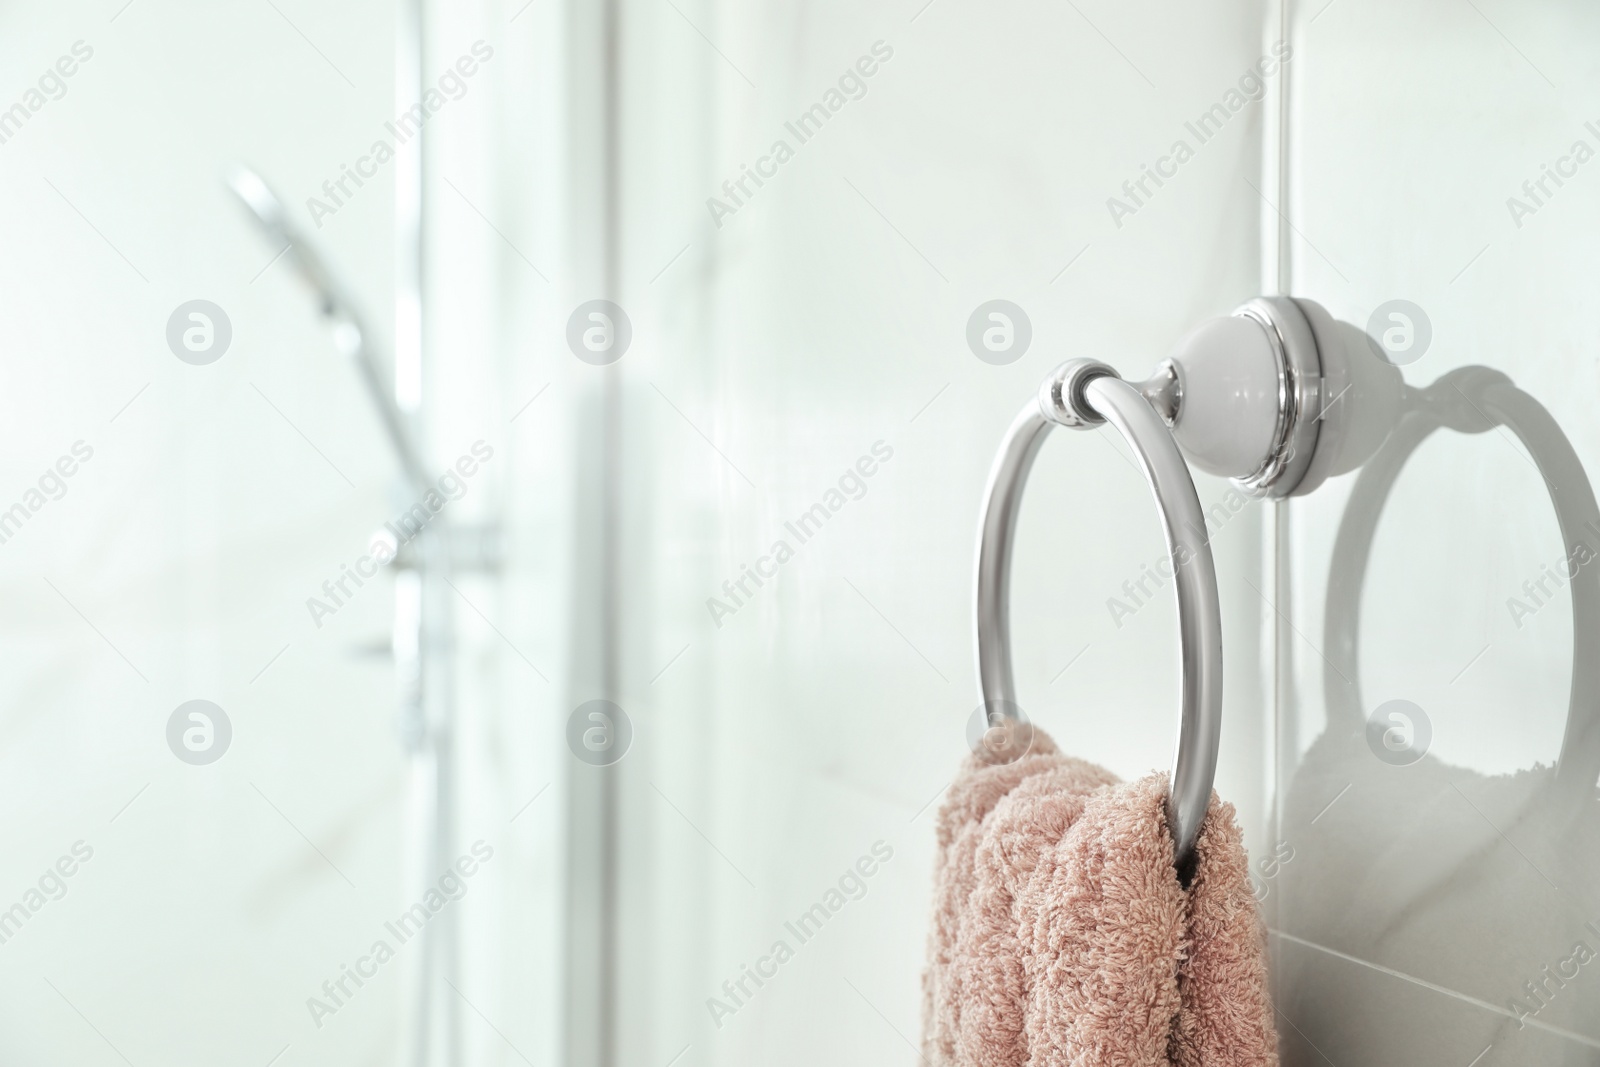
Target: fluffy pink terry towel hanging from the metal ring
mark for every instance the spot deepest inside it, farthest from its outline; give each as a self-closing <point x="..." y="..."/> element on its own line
<point x="1062" y="935"/>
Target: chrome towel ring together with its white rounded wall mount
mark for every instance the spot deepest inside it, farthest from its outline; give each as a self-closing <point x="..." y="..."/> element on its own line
<point x="1279" y="398"/>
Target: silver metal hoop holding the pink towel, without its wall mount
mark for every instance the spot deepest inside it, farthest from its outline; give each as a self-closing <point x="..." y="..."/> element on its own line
<point x="1084" y="394"/>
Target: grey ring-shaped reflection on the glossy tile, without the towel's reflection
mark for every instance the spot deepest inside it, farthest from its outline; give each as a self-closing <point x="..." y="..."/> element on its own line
<point x="1474" y="401"/>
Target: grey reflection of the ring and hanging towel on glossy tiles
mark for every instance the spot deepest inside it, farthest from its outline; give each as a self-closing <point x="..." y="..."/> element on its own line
<point x="1433" y="913"/>
